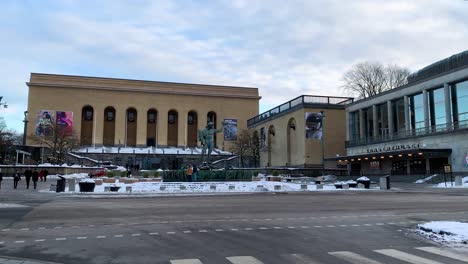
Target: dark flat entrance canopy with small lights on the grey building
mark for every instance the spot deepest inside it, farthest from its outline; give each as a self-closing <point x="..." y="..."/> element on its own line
<point x="422" y="153"/>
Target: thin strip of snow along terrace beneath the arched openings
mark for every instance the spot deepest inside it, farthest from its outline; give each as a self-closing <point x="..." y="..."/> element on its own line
<point x="149" y="150"/>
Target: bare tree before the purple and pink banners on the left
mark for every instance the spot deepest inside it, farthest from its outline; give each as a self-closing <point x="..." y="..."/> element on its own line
<point x="58" y="141"/>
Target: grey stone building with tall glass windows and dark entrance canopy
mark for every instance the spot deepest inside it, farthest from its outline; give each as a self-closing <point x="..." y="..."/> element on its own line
<point x="418" y="128"/>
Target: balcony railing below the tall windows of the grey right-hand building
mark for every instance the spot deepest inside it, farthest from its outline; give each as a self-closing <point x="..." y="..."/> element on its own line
<point x="442" y="128"/>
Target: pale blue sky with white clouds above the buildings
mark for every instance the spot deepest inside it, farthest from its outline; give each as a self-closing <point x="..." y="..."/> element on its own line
<point x="284" y="48"/>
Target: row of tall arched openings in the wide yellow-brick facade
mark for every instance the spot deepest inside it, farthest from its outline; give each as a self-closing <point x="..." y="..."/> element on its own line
<point x="87" y="126"/>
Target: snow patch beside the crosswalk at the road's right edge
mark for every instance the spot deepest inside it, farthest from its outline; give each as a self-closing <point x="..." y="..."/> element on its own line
<point x="445" y="232"/>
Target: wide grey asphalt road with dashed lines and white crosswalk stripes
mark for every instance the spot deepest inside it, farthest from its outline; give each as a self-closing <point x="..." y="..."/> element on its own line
<point x="345" y="227"/>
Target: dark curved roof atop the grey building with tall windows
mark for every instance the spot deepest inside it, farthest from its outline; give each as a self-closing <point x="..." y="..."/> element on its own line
<point x="439" y="67"/>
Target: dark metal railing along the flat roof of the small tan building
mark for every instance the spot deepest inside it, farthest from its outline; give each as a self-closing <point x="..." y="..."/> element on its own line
<point x="301" y="100"/>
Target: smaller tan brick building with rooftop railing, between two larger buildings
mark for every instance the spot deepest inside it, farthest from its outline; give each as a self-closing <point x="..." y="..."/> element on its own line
<point x="292" y="133"/>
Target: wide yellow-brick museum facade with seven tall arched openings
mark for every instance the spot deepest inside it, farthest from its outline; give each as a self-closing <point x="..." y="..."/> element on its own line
<point x="135" y="113"/>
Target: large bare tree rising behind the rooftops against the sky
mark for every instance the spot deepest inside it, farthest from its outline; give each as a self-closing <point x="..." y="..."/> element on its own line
<point x="367" y="79"/>
